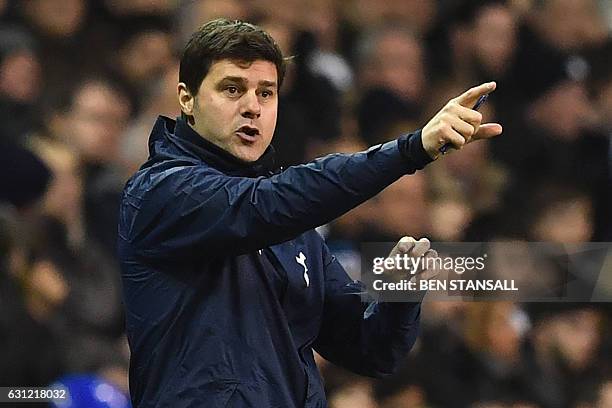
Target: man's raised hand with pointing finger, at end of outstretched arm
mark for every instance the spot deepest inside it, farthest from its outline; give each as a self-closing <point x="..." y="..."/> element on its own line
<point x="457" y="123"/>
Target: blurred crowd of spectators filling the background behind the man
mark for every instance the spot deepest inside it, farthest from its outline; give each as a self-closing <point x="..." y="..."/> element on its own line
<point x="82" y="81"/>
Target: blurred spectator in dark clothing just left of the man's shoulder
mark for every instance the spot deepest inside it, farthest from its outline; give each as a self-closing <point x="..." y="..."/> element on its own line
<point x="93" y="119"/>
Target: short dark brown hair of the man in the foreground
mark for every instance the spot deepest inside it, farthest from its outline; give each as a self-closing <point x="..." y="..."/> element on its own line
<point x="226" y="39"/>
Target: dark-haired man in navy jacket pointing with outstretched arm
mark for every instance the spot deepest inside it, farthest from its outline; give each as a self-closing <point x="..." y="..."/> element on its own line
<point x="228" y="288"/>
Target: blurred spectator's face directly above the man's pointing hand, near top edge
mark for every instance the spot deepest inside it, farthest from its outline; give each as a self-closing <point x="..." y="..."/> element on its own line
<point x="494" y="34"/>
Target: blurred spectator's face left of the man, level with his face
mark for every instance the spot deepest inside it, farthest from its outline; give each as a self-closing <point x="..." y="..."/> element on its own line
<point x="96" y="122"/>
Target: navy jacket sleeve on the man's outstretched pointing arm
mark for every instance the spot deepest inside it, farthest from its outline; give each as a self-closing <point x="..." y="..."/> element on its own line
<point x="199" y="209"/>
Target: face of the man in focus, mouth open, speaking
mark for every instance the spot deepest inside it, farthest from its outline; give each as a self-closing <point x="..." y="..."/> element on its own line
<point x="236" y="106"/>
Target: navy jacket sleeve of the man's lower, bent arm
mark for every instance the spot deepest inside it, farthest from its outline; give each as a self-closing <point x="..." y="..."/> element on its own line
<point x="367" y="338"/>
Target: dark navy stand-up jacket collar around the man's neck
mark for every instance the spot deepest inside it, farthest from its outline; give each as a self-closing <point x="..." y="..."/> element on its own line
<point x="190" y="142"/>
